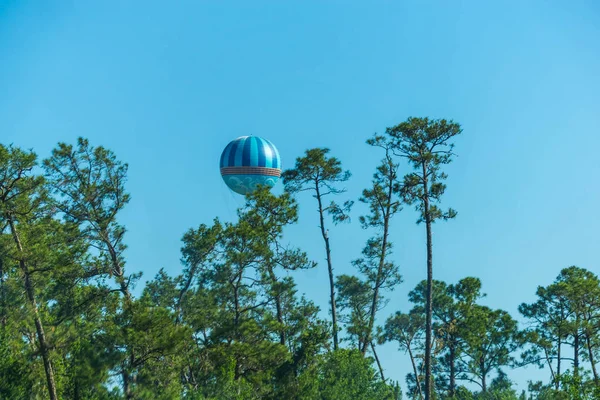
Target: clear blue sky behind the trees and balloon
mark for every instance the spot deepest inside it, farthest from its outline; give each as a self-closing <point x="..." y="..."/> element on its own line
<point x="167" y="85"/>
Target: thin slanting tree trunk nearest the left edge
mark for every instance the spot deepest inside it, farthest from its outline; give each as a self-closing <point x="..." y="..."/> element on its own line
<point x="39" y="327"/>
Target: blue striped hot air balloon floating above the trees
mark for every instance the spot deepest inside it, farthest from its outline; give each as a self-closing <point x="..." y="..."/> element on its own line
<point x="250" y="161"/>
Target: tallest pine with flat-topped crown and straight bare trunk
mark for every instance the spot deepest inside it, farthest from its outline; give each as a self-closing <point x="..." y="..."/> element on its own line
<point x="426" y="145"/>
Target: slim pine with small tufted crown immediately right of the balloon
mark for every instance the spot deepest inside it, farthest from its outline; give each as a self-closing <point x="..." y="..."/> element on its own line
<point x="320" y="174"/>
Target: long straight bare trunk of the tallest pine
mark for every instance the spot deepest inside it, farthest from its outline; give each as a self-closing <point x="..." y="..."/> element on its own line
<point x="429" y="310"/>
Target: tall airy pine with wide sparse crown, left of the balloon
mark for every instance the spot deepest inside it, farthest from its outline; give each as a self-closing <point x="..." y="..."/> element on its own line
<point x="89" y="184"/>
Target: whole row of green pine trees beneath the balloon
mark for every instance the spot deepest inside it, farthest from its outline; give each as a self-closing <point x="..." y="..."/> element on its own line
<point x="232" y="325"/>
